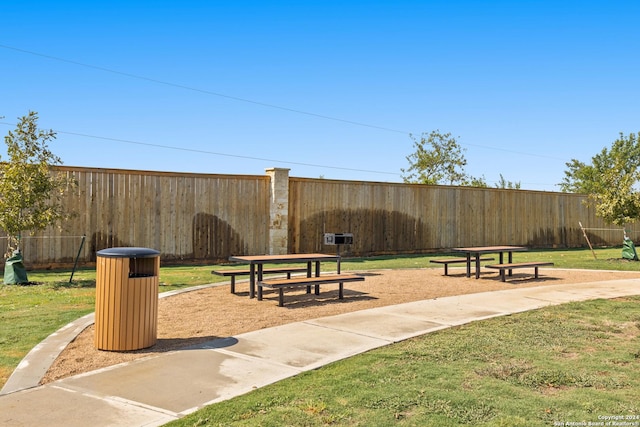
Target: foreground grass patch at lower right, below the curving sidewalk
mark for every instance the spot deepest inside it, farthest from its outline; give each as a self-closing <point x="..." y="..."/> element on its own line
<point x="571" y="364"/>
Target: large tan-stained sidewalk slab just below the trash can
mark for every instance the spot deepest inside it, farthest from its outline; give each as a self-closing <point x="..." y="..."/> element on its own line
<point x="180" y="382"/>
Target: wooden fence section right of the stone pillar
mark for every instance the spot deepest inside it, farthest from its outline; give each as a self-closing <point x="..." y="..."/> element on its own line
<point x="409" y="218"/>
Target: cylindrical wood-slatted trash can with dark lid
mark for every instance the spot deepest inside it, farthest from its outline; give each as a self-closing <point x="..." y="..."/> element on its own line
<point x="126" y="298"/>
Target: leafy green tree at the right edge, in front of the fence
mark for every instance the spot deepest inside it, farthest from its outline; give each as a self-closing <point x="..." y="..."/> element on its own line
<point x="610" y="181"/>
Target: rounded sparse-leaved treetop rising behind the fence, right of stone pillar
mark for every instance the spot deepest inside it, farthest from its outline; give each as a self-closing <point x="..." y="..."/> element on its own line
<point x="438" y="159"/>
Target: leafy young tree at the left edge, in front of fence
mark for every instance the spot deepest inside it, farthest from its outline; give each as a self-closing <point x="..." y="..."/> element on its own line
<point x="30" y="192"/>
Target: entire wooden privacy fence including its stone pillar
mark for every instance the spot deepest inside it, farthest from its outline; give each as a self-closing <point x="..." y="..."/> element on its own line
<point x="206" y="217"/>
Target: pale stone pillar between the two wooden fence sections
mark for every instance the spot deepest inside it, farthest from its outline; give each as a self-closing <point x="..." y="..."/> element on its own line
<point x="279" y="211"/>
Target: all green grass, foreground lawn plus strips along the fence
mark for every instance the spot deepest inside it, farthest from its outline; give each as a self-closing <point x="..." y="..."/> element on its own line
<point x="480" y="374"/>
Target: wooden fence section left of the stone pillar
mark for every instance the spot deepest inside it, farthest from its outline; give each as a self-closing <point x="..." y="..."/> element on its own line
<point x="187" y="217"/>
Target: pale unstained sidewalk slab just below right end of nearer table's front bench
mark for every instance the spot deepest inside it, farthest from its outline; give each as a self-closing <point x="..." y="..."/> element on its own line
<point x="379" y="324"/>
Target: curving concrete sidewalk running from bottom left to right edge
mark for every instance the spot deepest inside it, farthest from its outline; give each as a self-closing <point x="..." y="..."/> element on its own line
<point x="162" y="388"/>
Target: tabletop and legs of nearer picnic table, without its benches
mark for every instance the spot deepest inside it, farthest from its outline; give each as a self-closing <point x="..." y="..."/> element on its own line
<point x="260" y="260"/>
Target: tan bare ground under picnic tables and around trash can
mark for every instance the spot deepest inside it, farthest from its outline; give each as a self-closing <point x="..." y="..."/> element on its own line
<point x="194" y="317"/>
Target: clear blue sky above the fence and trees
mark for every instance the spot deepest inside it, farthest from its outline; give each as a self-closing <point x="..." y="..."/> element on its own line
<point x="328" y="89"/>
